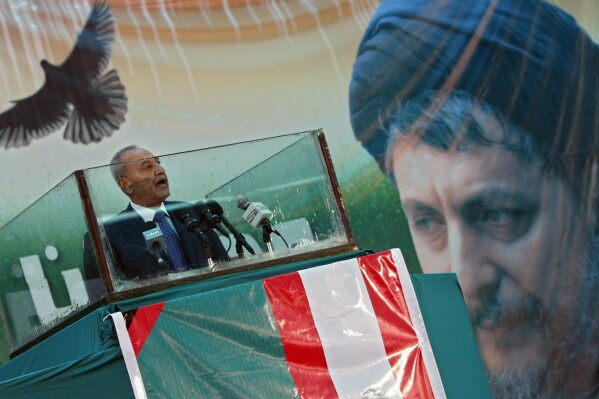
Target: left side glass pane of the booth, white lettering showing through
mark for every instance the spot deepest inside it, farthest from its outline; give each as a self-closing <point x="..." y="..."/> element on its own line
<point x="43" y="280"/>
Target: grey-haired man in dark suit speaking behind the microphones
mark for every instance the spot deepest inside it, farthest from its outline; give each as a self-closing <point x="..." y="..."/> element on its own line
<point x="142" y="178"/>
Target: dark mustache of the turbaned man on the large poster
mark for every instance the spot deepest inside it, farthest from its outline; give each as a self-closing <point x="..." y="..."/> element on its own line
<point x="496" y="313"/>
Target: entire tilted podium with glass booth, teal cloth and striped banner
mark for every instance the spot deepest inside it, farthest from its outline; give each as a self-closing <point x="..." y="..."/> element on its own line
<point x="58" y="312"/>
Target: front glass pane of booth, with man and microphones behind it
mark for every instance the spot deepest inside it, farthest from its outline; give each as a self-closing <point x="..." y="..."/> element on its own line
<point x="285" y="173"/>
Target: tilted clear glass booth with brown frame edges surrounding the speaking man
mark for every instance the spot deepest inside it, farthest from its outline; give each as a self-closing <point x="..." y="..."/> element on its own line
<point x="278" y="197"/>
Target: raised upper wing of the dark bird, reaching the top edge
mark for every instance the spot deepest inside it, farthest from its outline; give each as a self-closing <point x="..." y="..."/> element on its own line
<point x="91" y="53"/>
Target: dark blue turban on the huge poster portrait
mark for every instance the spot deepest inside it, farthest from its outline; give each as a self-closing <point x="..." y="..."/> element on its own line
<point x="527" y="58"/>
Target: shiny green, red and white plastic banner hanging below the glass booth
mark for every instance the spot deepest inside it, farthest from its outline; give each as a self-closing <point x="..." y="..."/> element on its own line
<point x="349" y="329"/>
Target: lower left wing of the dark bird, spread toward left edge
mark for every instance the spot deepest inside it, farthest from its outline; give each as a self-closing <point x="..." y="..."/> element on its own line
<point x="32" y="117"/>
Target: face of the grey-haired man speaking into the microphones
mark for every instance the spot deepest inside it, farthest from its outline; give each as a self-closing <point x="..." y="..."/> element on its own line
<point x="144" y="179"/>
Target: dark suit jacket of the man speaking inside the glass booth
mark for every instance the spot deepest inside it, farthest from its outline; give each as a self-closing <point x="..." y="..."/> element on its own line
<point x="130" y="254"/>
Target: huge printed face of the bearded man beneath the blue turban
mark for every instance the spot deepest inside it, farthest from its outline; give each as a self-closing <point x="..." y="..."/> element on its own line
<point x="512" y="235"/>
